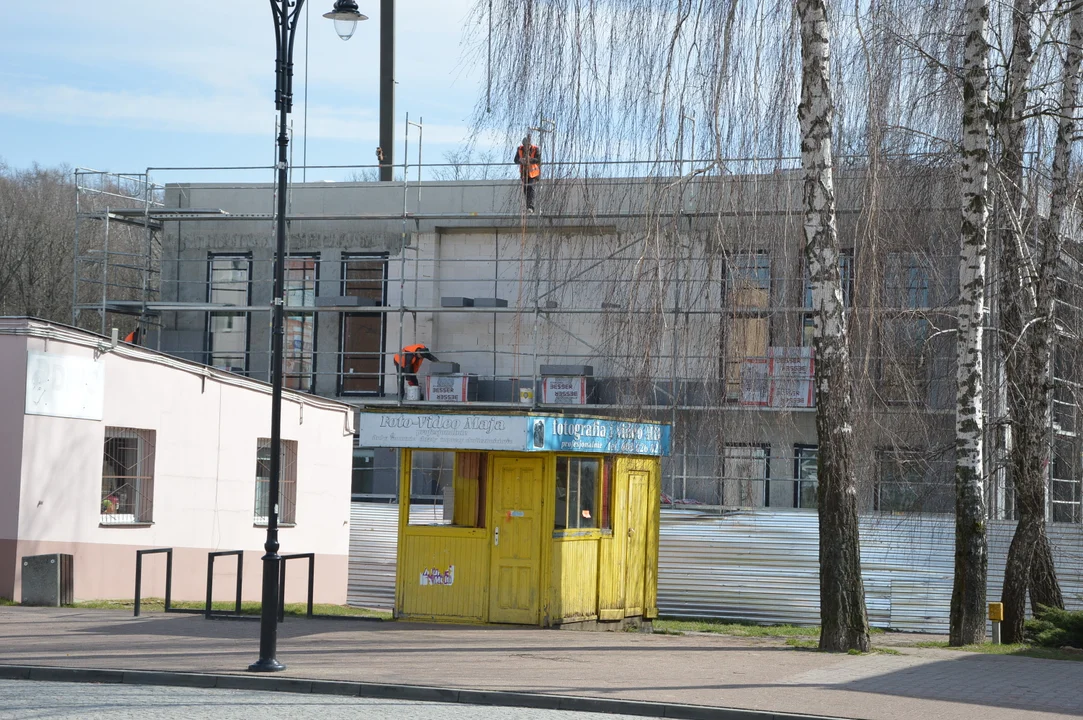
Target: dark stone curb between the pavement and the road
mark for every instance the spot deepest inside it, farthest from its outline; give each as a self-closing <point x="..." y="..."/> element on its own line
<point x="386" y="691"/>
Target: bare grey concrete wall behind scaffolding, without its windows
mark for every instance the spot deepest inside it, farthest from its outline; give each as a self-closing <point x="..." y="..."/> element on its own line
<point x="594" y="246"/>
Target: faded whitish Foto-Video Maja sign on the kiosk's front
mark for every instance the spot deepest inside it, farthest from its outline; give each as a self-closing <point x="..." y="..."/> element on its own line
<point x="460" y="433"/>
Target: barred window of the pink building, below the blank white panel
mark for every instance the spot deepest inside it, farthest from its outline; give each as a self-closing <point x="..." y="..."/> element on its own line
<point x="128" y="477"/>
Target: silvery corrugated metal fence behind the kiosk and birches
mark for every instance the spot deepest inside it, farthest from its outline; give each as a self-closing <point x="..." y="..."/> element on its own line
<point x="762" y="566"/>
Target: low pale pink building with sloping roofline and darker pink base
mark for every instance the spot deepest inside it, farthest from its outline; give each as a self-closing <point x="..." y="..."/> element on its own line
<point x="107" y="450"/>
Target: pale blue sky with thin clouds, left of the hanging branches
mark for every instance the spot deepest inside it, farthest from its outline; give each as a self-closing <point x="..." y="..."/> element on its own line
<point x="127" y="85"/>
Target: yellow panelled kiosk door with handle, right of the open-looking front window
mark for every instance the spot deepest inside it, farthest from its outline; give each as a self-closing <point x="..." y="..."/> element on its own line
<point x="517" y="545"/>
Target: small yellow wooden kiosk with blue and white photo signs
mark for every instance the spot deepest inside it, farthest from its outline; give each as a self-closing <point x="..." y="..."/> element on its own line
<point x="525" y="518"/>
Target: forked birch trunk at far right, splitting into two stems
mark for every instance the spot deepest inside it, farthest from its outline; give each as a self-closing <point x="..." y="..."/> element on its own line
<point x="1028" y="281"/>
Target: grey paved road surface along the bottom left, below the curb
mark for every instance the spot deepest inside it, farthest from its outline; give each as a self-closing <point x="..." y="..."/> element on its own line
<point x="22" y="700"/>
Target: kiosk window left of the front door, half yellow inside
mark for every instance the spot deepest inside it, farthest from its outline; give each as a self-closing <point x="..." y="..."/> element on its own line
<point x="448" y="489"/>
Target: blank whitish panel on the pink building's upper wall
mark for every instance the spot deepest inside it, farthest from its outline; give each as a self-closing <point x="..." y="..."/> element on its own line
<point x="64" y="386"/>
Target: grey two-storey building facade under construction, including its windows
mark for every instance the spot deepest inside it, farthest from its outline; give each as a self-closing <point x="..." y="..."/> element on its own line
<point x="666" y="299"/>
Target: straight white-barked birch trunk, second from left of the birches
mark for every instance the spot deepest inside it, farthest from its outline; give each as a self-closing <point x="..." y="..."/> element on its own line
<point x="968" y="623"/>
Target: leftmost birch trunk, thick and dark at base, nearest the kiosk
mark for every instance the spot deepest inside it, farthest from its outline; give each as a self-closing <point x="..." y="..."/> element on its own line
<point x="843" y="617"/>
